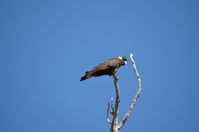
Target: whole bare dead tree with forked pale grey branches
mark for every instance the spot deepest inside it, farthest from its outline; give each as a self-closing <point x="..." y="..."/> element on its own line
<point x="113" y="109"/>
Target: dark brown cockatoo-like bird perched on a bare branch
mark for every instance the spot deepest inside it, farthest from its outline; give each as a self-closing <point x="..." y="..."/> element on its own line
<point x="108" y="67"/>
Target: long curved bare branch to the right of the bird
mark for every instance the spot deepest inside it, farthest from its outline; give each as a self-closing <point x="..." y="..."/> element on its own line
<point x="136" y="96"/>
